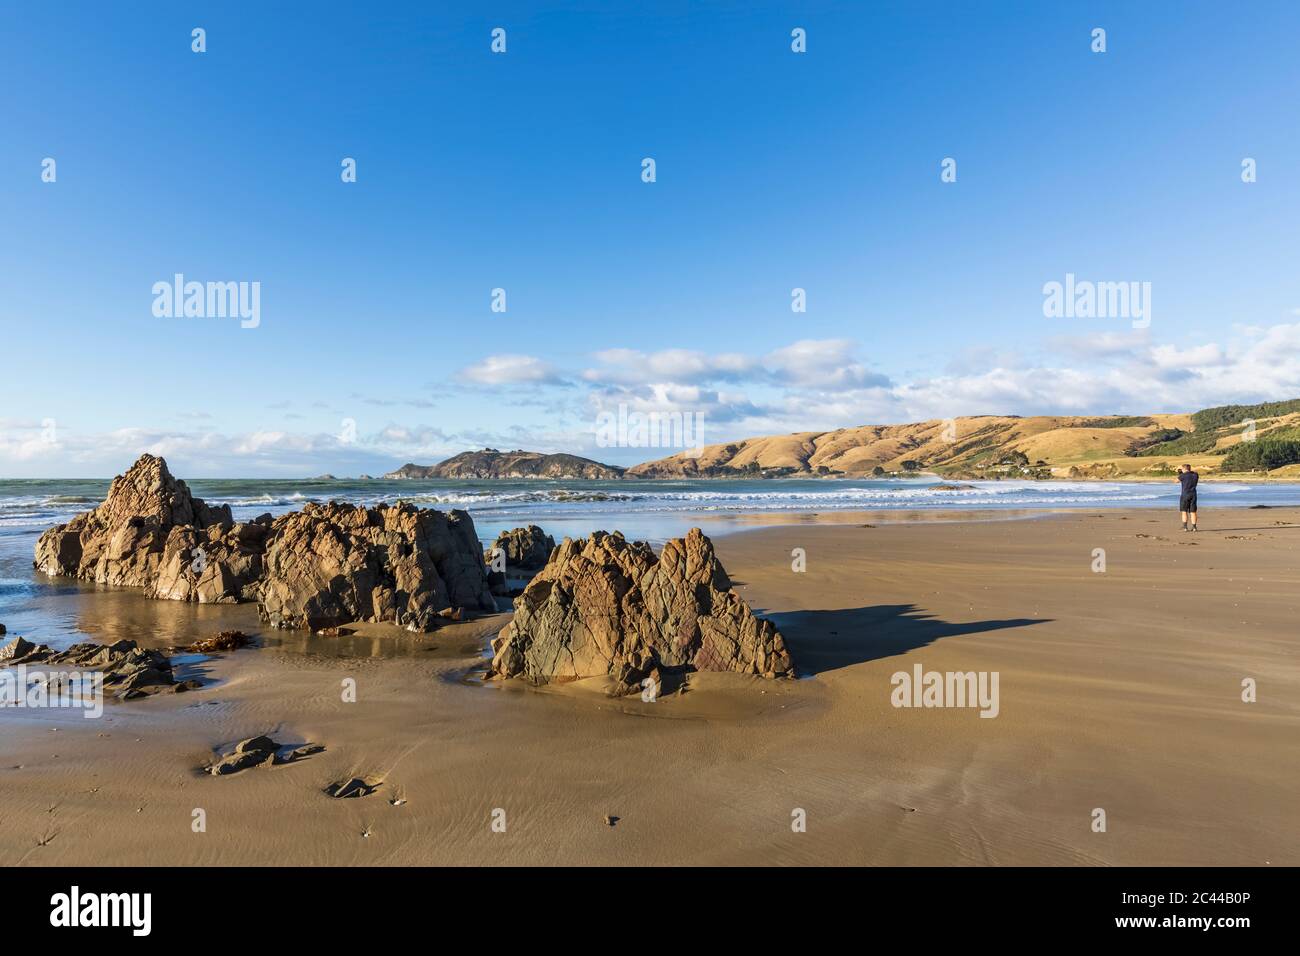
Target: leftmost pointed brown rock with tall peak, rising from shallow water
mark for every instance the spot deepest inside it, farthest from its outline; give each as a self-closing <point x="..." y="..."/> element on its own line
<point x="153" y="534"/>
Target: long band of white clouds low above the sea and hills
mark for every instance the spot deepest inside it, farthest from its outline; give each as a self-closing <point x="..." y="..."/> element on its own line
<point x="808" y="386"/>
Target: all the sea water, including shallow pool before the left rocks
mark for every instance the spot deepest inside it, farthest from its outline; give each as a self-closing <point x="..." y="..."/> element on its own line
<point x="60" y="611"/>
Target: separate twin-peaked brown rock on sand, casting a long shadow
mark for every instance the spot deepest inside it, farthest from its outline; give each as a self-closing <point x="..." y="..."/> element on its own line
<point x="606" y="607"/>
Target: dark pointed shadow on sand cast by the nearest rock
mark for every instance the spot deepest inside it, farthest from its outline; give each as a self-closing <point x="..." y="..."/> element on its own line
<point x="829" y="641"/>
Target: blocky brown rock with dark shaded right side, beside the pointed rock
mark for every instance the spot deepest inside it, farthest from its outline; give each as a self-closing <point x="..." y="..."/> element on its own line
<point x="332" y="565"/>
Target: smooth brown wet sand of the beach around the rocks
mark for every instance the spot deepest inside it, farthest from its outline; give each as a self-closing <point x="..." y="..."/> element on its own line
<point x="1119" y="691"/>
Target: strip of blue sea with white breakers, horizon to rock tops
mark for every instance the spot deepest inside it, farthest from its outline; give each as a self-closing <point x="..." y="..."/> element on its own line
<point x="664" y="508"/>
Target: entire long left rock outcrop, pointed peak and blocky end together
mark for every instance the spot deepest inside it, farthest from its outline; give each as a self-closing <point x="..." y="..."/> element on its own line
<point x="324" y="566"/>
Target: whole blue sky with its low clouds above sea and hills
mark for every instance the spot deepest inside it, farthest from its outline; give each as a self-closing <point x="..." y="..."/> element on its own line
<point x="523" y="171"/>
